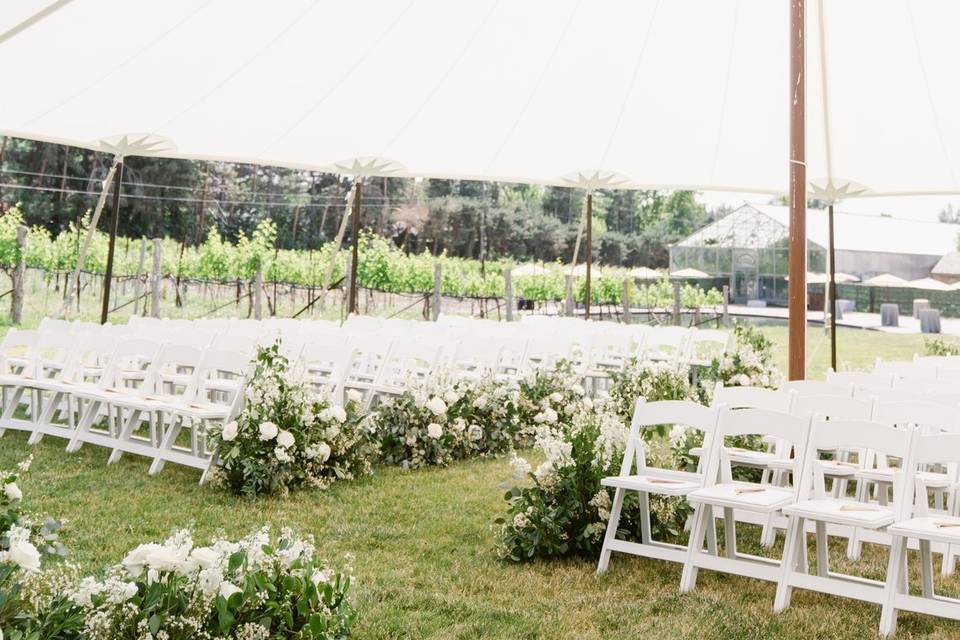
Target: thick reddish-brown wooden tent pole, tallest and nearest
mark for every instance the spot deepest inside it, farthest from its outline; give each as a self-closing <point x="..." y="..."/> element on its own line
<point x="797" y="289"/>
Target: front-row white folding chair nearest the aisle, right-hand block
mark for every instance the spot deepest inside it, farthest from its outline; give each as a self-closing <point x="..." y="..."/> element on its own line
<point x="646" y="480"/>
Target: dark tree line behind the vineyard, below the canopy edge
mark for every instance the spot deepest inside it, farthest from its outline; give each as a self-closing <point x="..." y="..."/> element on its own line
<point x="184" y="200"/>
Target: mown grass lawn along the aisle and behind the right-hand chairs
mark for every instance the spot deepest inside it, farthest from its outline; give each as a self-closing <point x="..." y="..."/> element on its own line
<point x="423" y="543"/>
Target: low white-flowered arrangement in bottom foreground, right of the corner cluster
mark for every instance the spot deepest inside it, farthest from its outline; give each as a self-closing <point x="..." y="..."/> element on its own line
<point x="256" y="588"/>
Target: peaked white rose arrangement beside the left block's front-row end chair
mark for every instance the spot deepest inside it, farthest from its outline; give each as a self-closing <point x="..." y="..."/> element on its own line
<point x="288" y="436"/>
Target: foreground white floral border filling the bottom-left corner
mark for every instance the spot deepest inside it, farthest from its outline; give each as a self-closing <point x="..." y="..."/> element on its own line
<point x="257" y="588"/>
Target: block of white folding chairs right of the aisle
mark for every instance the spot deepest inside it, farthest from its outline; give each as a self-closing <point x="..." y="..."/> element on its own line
<point x="816" y="431"/>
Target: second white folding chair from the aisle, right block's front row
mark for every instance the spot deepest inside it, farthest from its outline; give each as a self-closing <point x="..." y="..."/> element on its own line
<point x="722" y="492"/>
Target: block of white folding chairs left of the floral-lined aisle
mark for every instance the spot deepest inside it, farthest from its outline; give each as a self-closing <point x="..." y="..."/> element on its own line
<point x="152" y="387"/>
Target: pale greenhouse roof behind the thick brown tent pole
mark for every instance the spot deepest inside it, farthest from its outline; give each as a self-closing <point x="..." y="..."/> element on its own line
<point x="758" y="226"/>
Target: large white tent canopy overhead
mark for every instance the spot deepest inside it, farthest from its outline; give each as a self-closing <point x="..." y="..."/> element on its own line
<point x="685" y="93"/>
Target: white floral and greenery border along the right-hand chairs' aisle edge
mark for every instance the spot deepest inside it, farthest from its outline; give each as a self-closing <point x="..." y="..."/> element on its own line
<point x="560" y="508"/>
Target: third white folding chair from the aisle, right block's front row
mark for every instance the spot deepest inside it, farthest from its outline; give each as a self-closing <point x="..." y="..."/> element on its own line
<point x="822" y="509"/>
